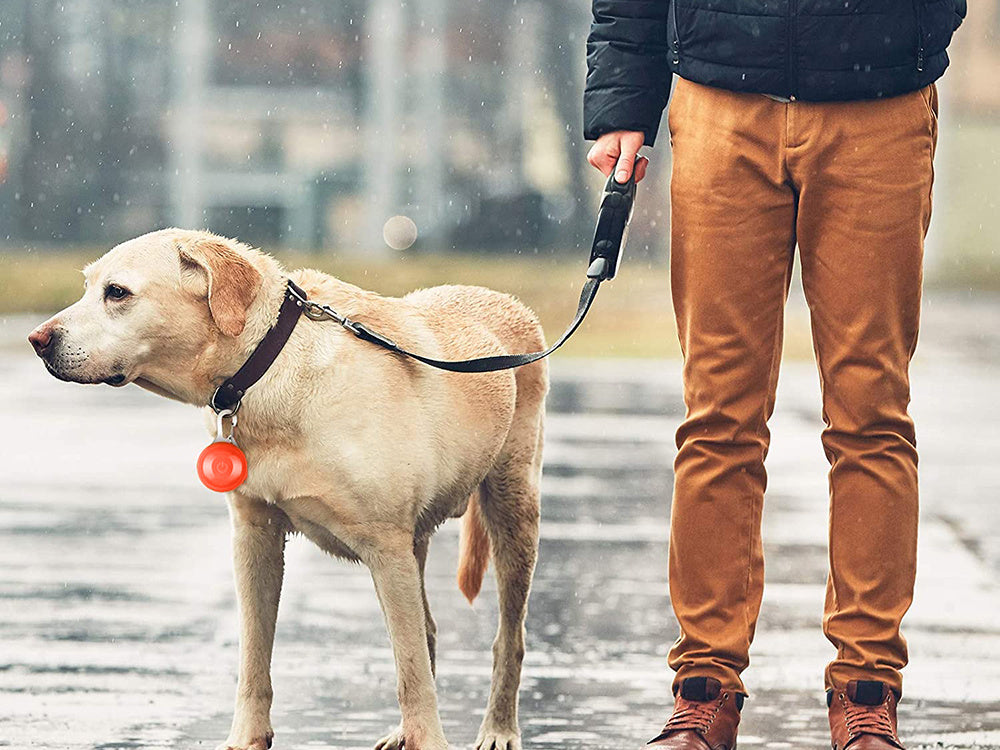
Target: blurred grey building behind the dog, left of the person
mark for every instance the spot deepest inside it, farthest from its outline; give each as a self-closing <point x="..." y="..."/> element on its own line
<point x="306" y="123"/>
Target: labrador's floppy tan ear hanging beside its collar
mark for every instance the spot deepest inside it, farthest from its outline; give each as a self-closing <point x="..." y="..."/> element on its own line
<point x="233" y="283"/>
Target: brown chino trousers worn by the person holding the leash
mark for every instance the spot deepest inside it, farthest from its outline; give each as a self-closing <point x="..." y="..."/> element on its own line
<point x="850" y="183"/>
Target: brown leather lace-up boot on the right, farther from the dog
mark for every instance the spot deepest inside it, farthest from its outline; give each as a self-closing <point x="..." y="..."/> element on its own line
<point x="863" y="717"/>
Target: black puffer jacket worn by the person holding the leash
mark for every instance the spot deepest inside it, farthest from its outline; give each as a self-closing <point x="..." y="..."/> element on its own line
<point x="814" y="50"/>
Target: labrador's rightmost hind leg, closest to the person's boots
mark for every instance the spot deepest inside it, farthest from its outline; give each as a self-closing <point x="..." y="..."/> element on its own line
<point x="511" y="512"/>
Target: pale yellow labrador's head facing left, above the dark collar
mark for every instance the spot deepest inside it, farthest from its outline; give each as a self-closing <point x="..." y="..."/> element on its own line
<point x="161" y="309"/>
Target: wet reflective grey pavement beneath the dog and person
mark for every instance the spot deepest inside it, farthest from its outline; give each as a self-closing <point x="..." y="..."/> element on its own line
<point x="118" y="622"/>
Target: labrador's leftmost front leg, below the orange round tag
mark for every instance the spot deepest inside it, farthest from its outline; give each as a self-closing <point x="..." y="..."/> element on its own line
<point x="258" y="560"/>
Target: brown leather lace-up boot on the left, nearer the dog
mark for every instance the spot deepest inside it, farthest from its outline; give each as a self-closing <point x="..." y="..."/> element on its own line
<point x="705" y="717"/>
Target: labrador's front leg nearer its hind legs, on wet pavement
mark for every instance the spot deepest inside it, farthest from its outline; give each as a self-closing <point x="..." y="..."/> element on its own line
<point x="396" y="575"/>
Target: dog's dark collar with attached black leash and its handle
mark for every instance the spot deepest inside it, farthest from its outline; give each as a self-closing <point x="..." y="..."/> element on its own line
<point x="609" y="239"/>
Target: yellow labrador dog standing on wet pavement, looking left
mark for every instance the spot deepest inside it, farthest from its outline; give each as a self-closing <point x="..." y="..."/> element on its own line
<point x="359" y="449"/>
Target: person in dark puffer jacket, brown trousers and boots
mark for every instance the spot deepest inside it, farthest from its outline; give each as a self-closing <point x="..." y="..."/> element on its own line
<point x="794" y="122"/>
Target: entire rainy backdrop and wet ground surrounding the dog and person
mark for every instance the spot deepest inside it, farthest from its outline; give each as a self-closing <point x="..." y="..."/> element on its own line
<point x="397" y="145"/>
